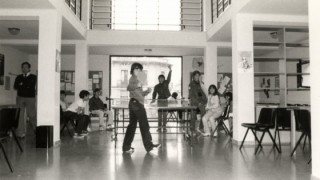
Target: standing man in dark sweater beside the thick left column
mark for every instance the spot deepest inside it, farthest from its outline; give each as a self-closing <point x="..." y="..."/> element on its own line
<point x="25" y="84"/>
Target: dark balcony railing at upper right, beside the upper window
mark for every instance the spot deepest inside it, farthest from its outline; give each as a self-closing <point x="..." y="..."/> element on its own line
<point x="218" y="7"/>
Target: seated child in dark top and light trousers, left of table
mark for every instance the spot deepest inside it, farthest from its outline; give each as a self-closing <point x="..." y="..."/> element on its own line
<point x="96" y="106"/>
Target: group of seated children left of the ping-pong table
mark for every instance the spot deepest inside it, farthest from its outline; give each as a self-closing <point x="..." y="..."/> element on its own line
<point x="77" y="111"/>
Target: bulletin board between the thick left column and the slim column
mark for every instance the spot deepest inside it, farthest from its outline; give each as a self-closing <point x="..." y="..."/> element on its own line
<point x="67" y="82"/>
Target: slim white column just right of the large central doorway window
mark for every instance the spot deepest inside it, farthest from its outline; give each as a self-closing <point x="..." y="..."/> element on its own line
<point x="210" y="64"/>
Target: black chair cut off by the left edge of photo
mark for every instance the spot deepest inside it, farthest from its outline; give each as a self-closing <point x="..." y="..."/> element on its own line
<point x="8" y="118"/>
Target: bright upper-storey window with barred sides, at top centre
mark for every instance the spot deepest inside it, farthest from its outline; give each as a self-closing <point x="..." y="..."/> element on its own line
<point x="176" y="15"/>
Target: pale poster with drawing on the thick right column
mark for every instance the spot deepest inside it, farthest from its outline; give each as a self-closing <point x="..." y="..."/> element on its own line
<point x="245" y="63"/>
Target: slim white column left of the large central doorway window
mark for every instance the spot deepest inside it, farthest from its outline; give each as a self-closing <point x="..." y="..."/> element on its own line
<point x="82" y="68"/>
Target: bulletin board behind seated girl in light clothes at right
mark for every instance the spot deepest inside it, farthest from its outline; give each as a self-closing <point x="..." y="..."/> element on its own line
<point x="224" y="83"/>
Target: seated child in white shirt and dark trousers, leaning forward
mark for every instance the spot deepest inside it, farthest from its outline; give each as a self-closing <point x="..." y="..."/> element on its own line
<point x="76" y="111"/>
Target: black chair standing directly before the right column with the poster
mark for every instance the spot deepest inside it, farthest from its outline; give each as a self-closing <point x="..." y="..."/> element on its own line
<point x="265" y="122"/>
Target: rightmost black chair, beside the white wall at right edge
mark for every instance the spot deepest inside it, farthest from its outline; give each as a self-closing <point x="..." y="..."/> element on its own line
<point x="303" y="125"/>
